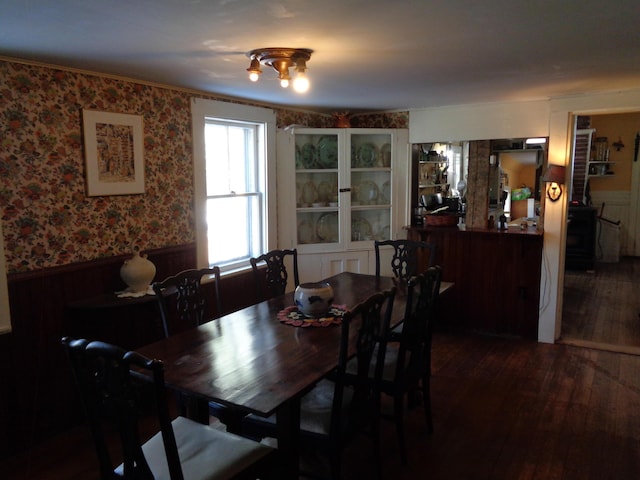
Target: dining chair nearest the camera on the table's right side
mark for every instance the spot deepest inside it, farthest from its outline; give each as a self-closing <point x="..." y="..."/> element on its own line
<point x="340" y="406"/>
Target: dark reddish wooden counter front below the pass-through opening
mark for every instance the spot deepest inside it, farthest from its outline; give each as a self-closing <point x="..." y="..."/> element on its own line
<point x="496" y="276"/>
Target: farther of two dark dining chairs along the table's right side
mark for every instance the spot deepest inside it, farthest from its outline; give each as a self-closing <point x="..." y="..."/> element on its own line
<point x="407" y="363"/>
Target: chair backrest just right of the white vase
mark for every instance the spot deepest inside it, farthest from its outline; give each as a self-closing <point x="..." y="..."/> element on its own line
<point x="180" y="297"/>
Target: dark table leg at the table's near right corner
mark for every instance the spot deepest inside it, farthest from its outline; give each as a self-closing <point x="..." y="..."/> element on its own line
<point x="288" y="430"/>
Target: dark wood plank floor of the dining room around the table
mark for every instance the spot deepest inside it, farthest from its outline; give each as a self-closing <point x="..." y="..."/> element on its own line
<point x="503" y="409"/>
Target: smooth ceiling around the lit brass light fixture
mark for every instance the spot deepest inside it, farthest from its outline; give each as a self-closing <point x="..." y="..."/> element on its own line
<point x="369" y="55"/>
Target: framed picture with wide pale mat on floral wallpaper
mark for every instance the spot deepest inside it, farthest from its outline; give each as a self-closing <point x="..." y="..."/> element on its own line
<point x="113" y="153"/>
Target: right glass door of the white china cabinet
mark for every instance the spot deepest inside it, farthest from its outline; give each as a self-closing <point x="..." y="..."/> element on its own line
<point x="370" y="180"/>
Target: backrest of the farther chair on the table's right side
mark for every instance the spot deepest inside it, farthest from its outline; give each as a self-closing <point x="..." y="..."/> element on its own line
<point x="415" y="340"/>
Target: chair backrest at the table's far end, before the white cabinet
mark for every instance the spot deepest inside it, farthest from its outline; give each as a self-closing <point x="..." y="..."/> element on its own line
<point x="407" y="257"/>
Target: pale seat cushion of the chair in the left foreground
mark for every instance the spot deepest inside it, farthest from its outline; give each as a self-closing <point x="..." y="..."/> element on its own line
<point x="205" y="453"/>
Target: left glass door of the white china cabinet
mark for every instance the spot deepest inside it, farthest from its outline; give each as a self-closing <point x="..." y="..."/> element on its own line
<point x="317" y="199"/>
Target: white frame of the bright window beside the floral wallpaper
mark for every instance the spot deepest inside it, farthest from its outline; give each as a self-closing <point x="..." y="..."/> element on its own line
<point x="201" y="109"/>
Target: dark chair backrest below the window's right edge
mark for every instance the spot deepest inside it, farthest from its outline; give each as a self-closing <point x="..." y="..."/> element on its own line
<point x="275" y="272"/>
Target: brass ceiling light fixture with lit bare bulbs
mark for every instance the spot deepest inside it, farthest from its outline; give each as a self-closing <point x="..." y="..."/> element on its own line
<point x="281" y="60"/>
